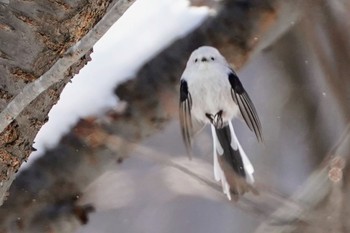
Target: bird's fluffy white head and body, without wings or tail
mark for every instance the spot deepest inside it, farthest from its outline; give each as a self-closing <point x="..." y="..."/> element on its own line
<point x="210" y="87"/>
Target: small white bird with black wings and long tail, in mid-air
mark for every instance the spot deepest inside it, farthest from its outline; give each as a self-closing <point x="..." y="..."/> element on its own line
<point x="212" y="94"/>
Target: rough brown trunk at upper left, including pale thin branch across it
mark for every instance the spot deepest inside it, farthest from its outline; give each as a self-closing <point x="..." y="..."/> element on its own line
<point x="37" y="36"/>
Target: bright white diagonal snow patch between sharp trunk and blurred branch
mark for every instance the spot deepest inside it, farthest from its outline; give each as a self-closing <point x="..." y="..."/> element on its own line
<point x="145" y="29"/>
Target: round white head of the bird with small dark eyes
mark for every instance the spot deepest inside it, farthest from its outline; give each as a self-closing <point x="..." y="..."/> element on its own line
<point x="205" y="55"/>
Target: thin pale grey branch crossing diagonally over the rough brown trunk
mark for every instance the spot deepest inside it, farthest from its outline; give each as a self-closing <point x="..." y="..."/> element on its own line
<point x="56" y="73"/>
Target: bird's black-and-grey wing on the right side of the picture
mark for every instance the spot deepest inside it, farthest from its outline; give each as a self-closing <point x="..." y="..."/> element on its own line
<point x="246" y="106"/>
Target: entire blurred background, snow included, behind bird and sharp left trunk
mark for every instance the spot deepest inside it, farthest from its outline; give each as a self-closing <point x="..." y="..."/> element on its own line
<point x="111" y="157"/>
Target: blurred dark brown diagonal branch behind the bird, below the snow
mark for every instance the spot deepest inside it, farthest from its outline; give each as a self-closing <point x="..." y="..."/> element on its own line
<point x="92" y="147"/>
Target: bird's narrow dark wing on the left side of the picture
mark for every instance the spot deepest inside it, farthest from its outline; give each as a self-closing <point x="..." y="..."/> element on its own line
<point x="185" y="115"/>
